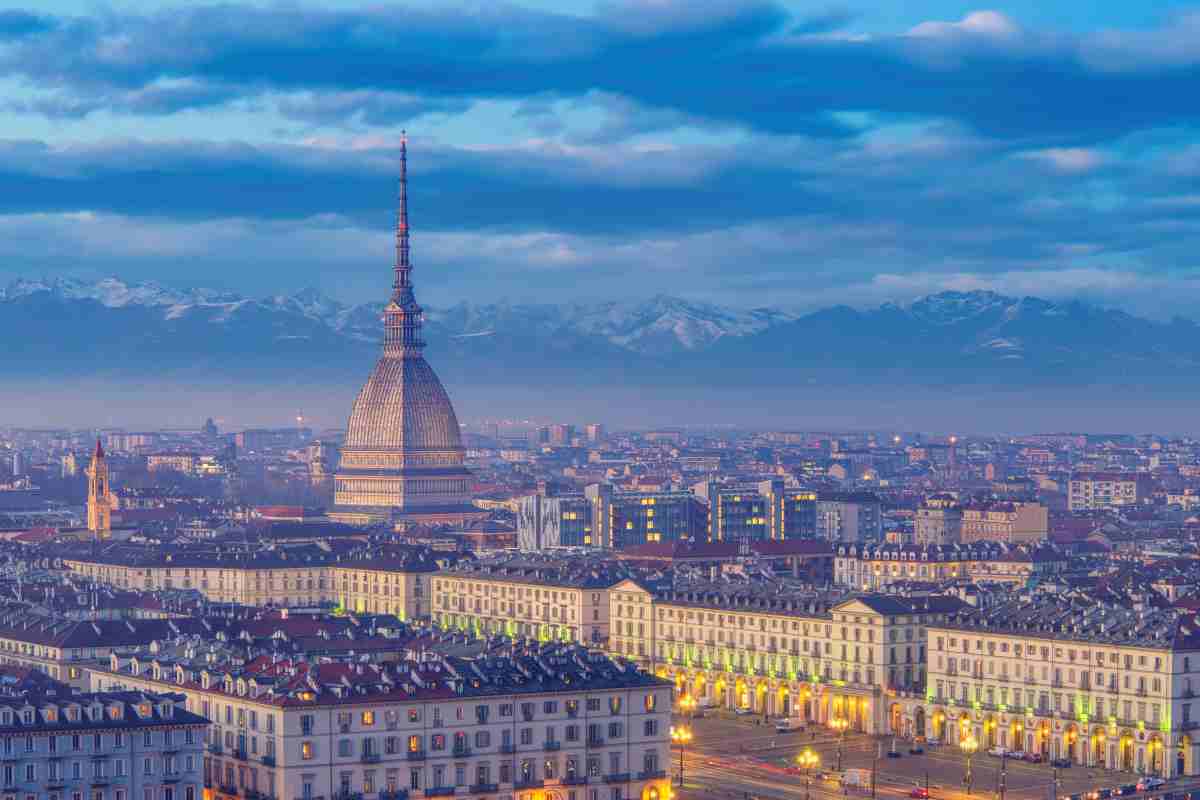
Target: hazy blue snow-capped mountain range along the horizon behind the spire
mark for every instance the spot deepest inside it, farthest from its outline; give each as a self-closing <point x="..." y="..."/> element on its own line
<point x="977" y="336"/>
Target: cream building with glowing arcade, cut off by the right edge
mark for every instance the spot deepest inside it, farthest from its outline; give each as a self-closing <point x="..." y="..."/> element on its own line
<point x="1102" y="685"/>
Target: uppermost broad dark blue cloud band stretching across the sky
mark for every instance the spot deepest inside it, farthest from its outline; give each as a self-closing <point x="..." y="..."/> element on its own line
<point x="746" y="64"/>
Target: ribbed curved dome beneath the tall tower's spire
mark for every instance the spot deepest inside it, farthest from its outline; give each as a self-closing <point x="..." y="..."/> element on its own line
<point x="404" y="407"/>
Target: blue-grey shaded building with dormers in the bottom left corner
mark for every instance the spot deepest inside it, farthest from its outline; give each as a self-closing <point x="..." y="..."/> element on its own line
<point x="101" y="747"/>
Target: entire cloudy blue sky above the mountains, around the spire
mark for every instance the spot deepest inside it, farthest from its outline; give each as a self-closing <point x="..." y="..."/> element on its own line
<point x="794" y="154"/>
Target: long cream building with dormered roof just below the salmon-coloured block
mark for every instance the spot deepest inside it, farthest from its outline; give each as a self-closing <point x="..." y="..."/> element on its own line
<point x="871" y="568"/>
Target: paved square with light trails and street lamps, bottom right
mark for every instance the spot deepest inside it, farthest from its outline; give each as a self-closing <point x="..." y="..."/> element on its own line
<point x="736" y="759"/>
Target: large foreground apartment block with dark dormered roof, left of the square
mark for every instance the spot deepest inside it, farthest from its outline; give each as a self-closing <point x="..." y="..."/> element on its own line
<point x="511" y="724"/>
